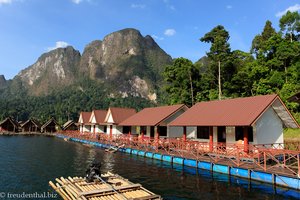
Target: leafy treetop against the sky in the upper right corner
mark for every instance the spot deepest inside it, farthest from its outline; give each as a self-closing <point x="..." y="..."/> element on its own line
<point x="290" y="23"/>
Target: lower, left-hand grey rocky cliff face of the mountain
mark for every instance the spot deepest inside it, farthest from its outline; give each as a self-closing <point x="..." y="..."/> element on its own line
<point x="54" y="69"/>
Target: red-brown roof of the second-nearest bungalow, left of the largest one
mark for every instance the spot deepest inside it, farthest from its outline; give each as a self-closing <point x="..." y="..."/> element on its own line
<point x="152" y="116"/>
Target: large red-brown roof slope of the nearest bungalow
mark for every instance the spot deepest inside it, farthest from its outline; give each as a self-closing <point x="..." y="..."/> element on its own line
<point x="230" y="112"/>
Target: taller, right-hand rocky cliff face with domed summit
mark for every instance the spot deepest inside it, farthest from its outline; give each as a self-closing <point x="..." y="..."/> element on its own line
<point x="130" y="63"/>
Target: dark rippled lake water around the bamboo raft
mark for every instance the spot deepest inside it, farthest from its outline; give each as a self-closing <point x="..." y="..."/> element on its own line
<point x="27" y="163"/>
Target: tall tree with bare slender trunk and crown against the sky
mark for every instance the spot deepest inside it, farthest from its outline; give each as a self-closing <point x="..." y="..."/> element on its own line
<point x="219" y="50"/>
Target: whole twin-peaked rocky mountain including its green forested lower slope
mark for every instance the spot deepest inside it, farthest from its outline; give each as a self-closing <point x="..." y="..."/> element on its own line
<point x="124" y="69"/>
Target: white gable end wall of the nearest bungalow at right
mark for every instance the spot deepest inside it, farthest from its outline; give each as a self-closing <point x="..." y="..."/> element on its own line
<point x="269" y="128"/>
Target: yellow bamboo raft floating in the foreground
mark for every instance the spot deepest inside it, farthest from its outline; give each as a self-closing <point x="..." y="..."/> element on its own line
<point x="108" y="187"/>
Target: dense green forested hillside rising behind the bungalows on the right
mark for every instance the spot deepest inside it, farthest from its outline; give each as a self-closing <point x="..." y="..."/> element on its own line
<point x="271" y="66"/>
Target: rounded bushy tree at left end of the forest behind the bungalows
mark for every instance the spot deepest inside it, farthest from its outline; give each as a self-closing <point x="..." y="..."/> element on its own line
<point x="181" y="79"/>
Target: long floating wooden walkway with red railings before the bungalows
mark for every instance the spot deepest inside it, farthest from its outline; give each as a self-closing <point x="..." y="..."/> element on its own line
<point x="266" y="158"/>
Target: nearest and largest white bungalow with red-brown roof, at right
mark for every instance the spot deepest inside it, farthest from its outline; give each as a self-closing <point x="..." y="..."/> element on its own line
<point x="254" y="120"/>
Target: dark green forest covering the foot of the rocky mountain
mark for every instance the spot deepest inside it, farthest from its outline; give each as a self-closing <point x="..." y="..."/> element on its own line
<point x="64" y="104"/>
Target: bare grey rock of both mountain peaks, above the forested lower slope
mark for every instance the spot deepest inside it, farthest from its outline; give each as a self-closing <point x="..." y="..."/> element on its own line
<point x="125" y="62"/>
